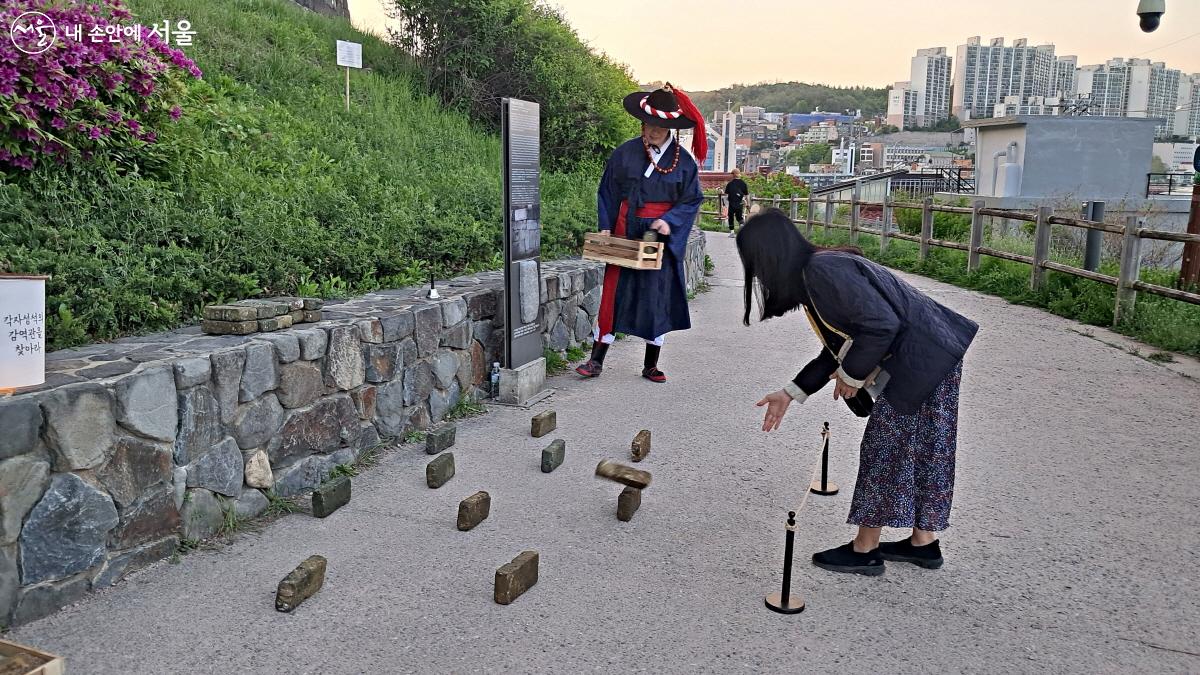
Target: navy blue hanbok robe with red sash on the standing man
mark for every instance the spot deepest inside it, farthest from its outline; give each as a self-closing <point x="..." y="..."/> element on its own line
<point x="649" y="303"/>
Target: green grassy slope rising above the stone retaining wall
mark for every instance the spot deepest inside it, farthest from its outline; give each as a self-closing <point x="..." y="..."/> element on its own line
<point x="267" y="186"/>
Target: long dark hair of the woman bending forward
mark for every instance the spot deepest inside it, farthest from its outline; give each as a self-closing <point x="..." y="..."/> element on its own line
<point x="773" y="254"/>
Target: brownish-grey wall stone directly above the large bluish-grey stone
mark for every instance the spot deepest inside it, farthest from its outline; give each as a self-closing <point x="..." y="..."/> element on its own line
<point x="80" y="426"/>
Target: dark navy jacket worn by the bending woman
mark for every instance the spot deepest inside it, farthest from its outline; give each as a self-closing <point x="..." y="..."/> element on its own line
<point x="868" y="318"/>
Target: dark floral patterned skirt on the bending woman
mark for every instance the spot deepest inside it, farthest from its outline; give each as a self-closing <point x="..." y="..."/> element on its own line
<point x="907" y="463"/>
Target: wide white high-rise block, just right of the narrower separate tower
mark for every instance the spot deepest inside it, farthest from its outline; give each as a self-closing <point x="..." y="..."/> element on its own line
<point x="988" y="74"/>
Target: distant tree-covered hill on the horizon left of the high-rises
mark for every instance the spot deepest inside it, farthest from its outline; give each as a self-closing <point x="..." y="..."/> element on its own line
<point x="796" y="98"/>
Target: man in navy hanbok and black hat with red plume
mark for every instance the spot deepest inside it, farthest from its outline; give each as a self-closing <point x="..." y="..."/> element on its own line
<point x="650" y="184"/>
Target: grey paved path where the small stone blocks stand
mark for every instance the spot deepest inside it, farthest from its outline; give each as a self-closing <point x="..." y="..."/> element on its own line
<point x="1071" y="551"/>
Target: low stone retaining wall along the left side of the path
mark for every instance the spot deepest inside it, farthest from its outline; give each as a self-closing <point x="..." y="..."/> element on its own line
<point x="131" y="447"/>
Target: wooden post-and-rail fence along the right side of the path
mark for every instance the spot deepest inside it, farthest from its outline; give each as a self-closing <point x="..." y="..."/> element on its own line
<point x="1127" y="282"/>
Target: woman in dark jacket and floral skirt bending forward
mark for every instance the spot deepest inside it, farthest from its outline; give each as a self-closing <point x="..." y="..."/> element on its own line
<point x="880" y="333"/>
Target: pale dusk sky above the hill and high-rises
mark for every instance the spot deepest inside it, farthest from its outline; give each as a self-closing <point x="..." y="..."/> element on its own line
<point x="703" y="45"/>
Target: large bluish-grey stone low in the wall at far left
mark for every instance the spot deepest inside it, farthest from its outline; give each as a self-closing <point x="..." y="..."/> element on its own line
<point x="67" y="531"/>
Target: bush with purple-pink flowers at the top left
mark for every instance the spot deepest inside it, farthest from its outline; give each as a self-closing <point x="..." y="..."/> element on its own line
<point x="81" y="99"/>
